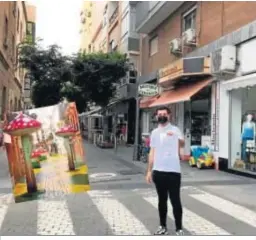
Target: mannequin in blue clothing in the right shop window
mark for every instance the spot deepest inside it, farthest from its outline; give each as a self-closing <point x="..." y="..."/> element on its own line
<point x="248" y="134"/>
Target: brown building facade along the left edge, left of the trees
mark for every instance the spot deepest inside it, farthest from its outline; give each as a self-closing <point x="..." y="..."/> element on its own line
<point x="13" y="19"/>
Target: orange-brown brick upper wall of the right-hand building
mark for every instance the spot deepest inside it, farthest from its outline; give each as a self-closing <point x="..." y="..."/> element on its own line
<point x="211" y="20"/>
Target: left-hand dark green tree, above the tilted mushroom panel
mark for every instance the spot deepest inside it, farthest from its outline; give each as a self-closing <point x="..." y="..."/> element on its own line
<point x="45" y="68"/>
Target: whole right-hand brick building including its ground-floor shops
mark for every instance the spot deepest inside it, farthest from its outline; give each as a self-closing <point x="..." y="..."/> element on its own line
<point x="188" y="43"/>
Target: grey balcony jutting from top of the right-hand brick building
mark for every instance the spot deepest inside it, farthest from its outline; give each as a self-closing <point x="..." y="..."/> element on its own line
<point x="150" y="14"/>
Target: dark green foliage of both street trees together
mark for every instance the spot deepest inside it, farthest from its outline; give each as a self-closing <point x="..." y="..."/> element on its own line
<point x="82" y="78"/>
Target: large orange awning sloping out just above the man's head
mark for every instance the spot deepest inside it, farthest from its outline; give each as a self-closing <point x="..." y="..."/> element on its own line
<point x="180" y="94"/>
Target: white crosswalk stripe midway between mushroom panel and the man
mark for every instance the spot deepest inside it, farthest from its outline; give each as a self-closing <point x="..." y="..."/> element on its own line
<point x="120" y="219"/>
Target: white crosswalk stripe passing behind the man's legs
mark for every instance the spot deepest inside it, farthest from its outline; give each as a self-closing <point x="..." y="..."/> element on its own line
<point x="194" y="223"/>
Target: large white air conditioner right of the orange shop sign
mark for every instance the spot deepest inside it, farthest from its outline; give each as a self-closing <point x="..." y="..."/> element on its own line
<point x="223" y="61"/>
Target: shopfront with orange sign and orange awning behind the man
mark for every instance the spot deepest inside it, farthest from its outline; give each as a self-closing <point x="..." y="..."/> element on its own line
<point x="186" y="89"/>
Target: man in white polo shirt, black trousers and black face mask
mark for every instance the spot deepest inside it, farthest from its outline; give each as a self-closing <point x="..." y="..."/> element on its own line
<point x="164" y="160"/>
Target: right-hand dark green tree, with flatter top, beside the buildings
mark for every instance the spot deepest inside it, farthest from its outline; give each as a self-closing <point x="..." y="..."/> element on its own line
<point x="96" y="76"/>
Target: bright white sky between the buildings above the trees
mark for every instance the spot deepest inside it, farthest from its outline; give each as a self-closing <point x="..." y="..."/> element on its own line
<point x="58" y="22"/>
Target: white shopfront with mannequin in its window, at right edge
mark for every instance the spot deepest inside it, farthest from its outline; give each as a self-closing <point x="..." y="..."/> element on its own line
<point x="241" y="92"/>
